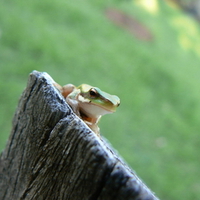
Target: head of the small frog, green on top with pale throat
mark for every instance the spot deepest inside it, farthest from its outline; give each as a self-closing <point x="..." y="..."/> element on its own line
<point x="95" y="102"/>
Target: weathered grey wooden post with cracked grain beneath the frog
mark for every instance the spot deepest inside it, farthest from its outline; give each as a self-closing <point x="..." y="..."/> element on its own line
<point x="52" y="154"/>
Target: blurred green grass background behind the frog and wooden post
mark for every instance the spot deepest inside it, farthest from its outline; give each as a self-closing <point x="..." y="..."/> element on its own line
<point x="156" y="128"/>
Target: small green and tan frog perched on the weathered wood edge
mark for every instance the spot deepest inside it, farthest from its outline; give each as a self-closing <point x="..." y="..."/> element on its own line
<point x="89" y="103"/>
